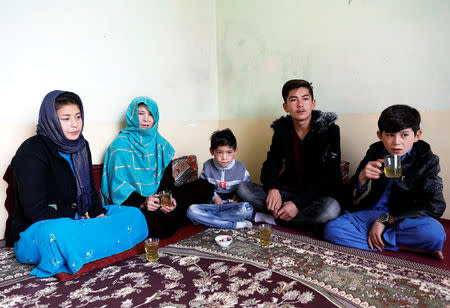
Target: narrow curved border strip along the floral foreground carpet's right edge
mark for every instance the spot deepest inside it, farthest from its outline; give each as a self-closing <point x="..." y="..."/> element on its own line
<point x="202" y="254"/>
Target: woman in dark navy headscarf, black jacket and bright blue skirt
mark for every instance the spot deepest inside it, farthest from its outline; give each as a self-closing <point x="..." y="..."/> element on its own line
<point x="59" y="222"/>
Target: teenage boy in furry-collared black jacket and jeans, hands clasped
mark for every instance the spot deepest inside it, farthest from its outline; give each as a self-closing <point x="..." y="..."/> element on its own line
<point x="302" y="169"/>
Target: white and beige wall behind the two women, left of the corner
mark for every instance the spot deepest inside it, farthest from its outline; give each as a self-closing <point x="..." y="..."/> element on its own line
<point x="108" y="51"/>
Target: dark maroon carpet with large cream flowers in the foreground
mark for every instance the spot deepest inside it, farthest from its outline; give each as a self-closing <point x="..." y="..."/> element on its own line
<point x="173" y="281"/>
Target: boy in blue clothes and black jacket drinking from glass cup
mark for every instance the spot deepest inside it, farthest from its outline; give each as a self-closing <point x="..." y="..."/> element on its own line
<point x="397" y="212"/>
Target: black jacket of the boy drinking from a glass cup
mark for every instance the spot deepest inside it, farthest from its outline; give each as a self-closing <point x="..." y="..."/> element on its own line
<point x="417" y="192"/>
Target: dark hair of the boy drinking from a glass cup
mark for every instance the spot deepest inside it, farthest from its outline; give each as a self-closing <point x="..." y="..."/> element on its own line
<point x="397" y="118"/>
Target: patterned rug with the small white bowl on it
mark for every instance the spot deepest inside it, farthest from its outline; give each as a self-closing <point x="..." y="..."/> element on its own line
<point x="359" y="277"/>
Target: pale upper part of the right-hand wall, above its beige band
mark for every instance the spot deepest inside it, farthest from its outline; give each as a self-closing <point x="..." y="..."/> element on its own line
<point x="361" y="55"/>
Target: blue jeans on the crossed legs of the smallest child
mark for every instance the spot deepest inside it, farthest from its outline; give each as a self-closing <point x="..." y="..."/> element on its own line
<point x="224" y="216"/>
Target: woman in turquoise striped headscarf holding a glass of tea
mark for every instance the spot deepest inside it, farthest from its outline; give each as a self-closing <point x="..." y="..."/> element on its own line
<point x="138" y="165"/>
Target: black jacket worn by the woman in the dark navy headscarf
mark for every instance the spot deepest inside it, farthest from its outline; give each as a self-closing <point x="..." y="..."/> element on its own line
<point x="42" y="177"/>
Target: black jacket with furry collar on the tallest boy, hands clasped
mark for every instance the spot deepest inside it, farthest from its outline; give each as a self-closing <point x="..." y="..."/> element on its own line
<point x="322" y="156"/>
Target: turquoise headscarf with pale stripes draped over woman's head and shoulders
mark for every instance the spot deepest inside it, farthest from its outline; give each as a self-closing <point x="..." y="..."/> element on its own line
<point x="137" y="158"/>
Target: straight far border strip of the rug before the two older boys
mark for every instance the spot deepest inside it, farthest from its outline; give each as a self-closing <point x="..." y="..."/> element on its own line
<point x="368" y="255"/>
